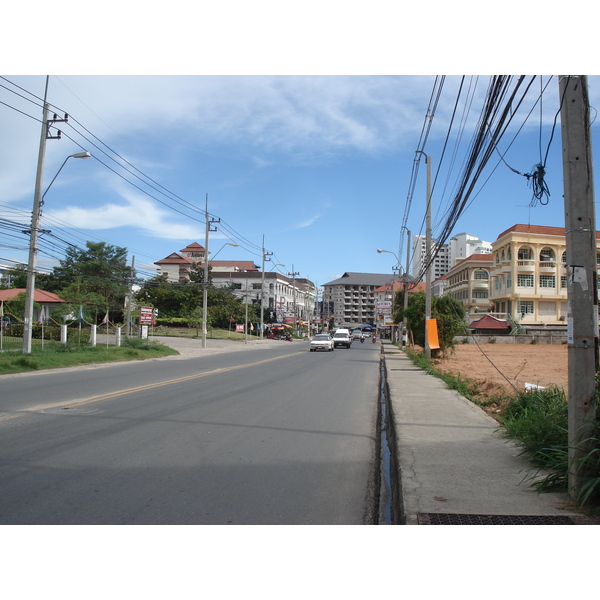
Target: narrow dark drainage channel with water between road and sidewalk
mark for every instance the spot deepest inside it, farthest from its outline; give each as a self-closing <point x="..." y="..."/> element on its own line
<point x="389" y="500"/>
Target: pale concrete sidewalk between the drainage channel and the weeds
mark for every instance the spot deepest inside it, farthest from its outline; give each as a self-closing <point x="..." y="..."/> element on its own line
<point x="454" y="467"/>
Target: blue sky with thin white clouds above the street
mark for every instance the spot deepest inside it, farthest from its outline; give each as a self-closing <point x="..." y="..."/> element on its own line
<point x="319" y="164"/>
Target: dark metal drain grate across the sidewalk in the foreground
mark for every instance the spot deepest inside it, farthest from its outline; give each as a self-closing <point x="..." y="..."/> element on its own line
<point x="459" y="519"/>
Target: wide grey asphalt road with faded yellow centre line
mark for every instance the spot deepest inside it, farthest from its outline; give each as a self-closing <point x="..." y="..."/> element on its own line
<point x="272" y="435"/>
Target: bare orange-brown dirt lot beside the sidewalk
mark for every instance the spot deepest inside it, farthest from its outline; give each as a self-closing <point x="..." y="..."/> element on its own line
<point x="542" y="364"/>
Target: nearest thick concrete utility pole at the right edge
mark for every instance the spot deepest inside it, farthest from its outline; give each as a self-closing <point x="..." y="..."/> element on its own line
<point x="580" y="226"/>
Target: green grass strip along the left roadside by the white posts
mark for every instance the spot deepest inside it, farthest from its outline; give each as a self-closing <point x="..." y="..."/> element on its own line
<point x="72" y="355"/>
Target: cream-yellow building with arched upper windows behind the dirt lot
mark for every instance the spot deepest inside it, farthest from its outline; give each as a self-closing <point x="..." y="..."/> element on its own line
<point x="529" y="275"/>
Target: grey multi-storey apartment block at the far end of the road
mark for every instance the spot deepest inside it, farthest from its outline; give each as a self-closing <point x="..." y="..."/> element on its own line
<point x="351" y="299"/>
